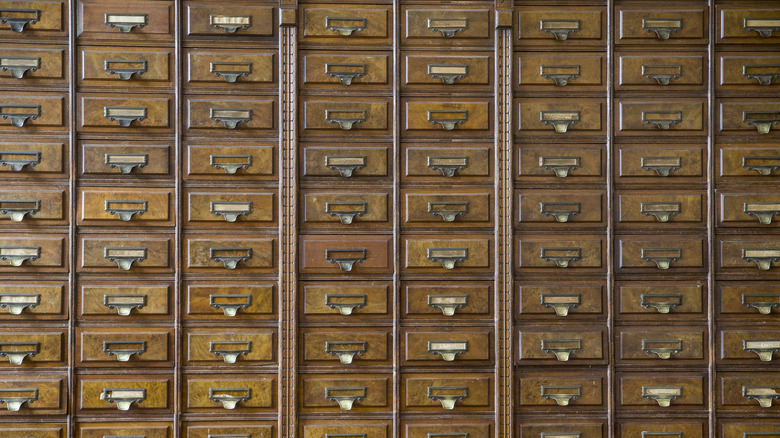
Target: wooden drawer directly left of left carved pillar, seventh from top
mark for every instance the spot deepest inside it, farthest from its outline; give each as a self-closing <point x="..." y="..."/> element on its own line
<point x="232" y="301"/>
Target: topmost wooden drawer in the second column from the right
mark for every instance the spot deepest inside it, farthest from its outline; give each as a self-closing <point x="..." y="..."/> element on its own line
<point x="662" y="25"/>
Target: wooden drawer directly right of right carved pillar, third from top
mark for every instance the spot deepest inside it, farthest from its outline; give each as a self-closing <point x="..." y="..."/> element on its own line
<point x="553" y="117"/>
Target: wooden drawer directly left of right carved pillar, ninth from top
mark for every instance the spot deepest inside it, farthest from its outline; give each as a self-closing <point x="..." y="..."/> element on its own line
<point x="437" y="392"/>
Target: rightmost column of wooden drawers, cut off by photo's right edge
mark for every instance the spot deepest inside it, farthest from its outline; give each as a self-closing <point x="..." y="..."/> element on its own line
<point x="747" y="205"/>
